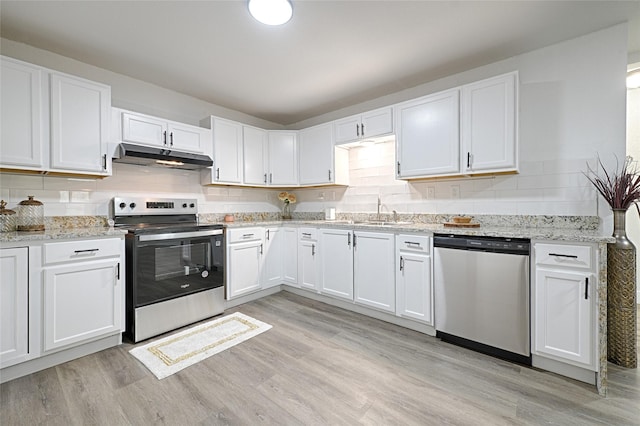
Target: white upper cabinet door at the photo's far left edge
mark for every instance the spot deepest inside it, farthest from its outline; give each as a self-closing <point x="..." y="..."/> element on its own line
<point x="22" y="116"/>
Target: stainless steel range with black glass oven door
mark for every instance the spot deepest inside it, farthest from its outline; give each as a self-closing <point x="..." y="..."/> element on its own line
<point x="174" y="266"/>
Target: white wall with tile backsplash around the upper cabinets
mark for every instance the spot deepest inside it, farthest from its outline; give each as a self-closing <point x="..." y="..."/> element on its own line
<point x="572" y="107"/>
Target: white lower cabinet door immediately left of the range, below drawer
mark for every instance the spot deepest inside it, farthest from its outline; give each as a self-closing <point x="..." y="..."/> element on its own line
<point x="81" y="301"/>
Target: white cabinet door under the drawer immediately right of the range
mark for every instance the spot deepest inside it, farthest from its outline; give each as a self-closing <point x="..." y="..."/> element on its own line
<point x="244" y="266"/>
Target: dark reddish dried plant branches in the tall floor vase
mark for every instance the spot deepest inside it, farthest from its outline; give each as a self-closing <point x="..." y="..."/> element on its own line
<point x="620" y="188"/>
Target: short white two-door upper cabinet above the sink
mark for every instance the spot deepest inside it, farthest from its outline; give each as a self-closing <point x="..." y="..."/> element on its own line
<point x="371" y="124"/>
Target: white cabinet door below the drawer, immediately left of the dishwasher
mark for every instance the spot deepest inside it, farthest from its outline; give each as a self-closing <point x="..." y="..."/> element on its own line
<point x="413" y="287"/>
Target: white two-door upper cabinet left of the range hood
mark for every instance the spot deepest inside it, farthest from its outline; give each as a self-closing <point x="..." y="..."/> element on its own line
<point x="55" y="121"/>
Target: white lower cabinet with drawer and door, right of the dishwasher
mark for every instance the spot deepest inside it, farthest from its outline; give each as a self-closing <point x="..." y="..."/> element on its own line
<point x="564" y="297"/>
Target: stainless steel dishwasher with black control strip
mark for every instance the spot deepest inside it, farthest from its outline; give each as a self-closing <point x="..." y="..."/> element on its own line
<point x="482" y="293"/>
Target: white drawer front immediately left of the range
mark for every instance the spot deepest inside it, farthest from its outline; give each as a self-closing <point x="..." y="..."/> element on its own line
<point x="81" y="250"/>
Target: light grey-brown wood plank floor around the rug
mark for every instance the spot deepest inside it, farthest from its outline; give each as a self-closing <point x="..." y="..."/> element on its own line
<point x="317" y="365"/>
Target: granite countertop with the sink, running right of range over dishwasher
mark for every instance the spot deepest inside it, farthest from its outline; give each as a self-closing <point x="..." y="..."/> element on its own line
<point x="534" y="233"/>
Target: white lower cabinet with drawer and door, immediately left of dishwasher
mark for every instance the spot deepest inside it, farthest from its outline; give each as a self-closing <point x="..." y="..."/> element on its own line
<point x="414" y="289"/>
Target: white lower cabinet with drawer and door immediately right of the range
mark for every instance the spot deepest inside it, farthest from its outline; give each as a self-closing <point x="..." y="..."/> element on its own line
<point x="244" y="261"/>
